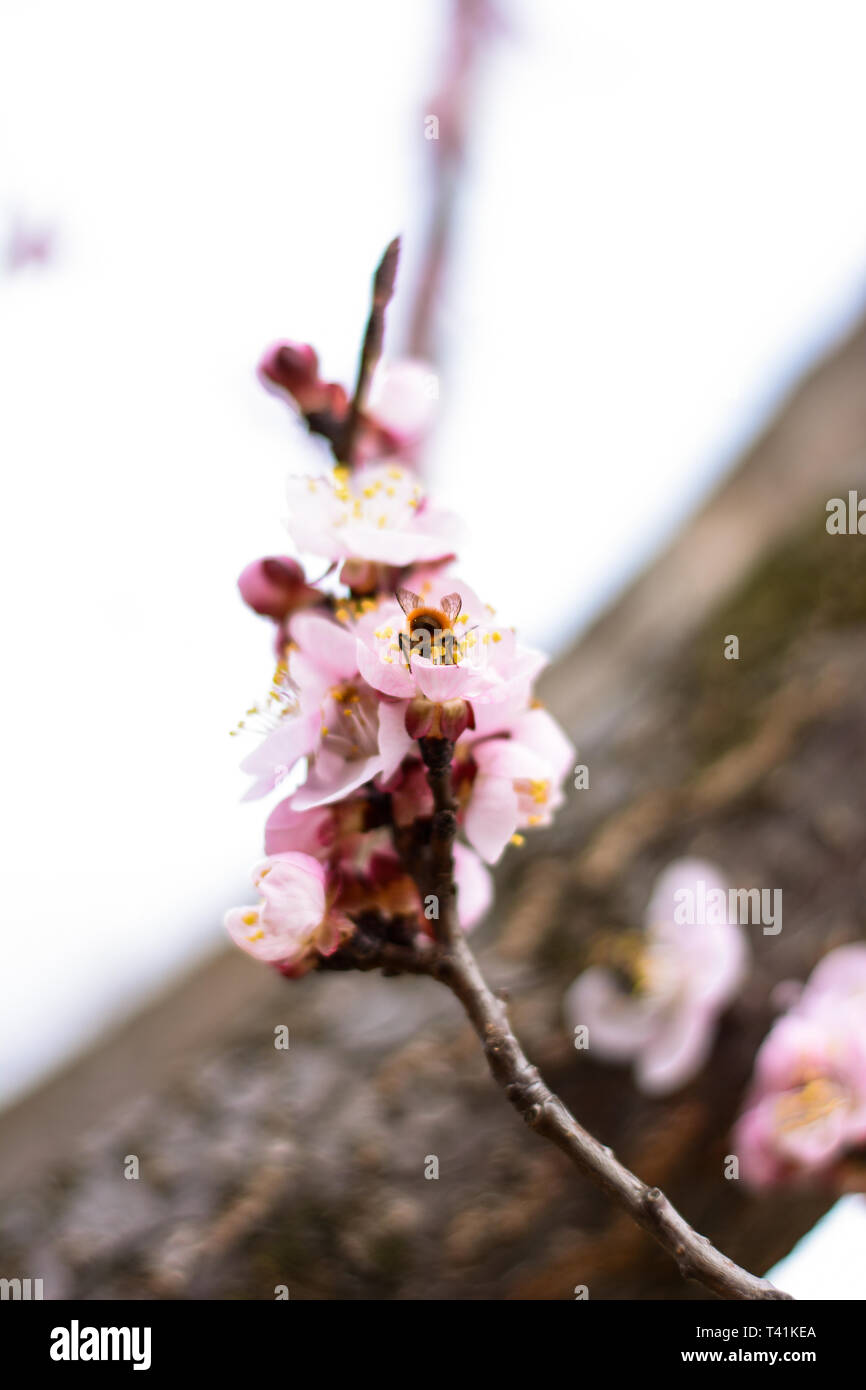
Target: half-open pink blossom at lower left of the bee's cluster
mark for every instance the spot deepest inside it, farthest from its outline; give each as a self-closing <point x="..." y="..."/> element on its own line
<point x="293" y="922"/>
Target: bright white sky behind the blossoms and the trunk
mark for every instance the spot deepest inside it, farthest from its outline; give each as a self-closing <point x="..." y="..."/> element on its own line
<point x="665" y="222"/>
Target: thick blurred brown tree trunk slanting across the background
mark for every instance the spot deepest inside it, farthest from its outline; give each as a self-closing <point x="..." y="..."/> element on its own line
<point x="307" y="1167"/>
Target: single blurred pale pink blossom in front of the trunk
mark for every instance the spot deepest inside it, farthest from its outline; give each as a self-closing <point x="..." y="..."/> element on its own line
<point x="686" y="976"/>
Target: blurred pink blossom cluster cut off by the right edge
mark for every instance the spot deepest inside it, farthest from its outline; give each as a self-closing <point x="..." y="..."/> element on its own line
<point x="807" y="1106"/>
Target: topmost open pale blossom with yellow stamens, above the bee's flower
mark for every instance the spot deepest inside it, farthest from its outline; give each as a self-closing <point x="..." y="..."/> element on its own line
<point x="376" y="514"/>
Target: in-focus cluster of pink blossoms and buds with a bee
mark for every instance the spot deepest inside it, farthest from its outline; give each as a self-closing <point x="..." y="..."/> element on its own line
<point x="390" y="650"/>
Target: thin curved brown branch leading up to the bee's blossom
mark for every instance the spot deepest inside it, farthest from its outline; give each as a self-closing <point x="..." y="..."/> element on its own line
<point x="544" y="1113"/>
